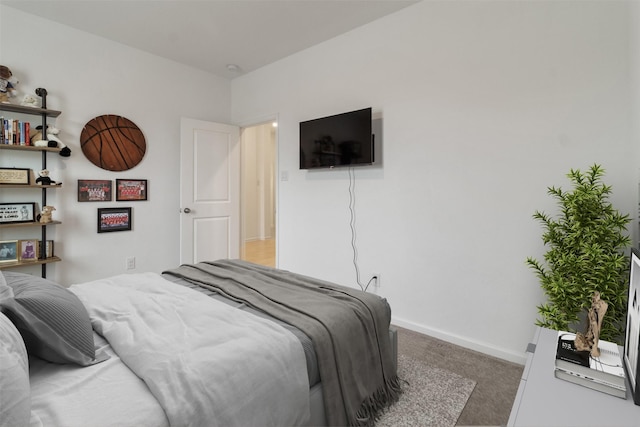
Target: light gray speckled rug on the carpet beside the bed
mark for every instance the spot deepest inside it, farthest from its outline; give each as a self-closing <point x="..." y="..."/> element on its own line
<point x="431" y="397"/>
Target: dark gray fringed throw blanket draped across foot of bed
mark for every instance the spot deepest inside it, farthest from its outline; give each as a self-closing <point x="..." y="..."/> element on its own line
<point x="349" y="329"/>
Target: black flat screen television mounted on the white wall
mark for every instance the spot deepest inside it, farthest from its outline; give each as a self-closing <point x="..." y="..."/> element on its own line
<point x="340" y="140"/>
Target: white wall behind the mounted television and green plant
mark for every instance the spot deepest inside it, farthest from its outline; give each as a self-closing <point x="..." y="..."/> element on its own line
<point x="484" y="105"/>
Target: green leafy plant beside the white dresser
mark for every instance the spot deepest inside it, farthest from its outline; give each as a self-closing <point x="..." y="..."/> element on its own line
<point x="587" y="253"/>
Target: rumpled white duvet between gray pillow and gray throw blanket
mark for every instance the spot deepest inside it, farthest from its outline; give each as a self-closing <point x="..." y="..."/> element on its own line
<point x="206" y="363"/>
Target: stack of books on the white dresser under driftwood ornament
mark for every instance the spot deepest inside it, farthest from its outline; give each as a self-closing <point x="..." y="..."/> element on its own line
<point x="604" y="373"/>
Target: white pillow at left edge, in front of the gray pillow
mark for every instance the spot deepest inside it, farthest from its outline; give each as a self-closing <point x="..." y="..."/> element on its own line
<point x="15" y="393"/>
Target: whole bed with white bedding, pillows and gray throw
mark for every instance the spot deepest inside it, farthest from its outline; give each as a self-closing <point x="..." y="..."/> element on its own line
<point x="225" y="343"/>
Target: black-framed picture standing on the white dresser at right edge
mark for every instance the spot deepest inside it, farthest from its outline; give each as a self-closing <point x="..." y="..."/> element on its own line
<point x="631" y="354"/>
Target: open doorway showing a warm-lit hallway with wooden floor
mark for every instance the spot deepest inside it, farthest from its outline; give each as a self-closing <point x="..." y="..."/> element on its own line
<point x="258" y="194"/>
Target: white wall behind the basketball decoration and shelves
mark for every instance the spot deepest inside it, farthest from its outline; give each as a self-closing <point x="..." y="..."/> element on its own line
<point x="87" y="76"/>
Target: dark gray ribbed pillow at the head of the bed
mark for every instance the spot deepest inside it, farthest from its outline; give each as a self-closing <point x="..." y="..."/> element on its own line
<point x="53" y="323"/>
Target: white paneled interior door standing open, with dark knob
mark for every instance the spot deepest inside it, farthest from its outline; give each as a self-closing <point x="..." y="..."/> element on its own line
<point x="209" y="191"/>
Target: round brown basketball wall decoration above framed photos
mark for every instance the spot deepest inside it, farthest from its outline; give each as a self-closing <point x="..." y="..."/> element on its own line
<point x="113" y="142"/>
